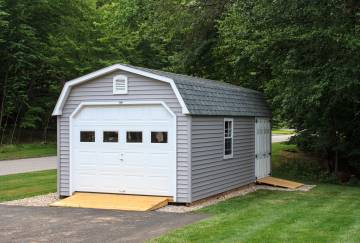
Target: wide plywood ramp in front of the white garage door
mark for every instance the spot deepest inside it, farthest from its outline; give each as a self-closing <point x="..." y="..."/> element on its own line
<point x="113" y="201"/>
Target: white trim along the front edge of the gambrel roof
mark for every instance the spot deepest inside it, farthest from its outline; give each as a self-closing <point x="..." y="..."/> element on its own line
<point x="68" y="85"/>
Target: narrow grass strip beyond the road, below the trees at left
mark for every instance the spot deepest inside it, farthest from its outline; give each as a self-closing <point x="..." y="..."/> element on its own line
<point x="21" y="151"/>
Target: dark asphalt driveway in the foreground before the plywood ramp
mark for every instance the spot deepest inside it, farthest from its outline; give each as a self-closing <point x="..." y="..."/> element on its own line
<point x="50" y="224"/>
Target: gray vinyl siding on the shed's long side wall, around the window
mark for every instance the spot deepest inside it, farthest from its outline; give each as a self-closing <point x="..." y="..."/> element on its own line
<point x="211" y="173"/>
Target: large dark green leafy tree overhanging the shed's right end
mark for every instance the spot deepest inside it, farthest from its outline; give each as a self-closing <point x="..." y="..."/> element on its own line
<point x="306" y="56"/>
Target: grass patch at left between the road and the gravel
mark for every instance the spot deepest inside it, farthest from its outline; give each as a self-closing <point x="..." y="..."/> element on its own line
<point x="27" y="184"/>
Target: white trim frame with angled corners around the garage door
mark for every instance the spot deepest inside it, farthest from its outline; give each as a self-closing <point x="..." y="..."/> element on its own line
<point x="84" y="104"/>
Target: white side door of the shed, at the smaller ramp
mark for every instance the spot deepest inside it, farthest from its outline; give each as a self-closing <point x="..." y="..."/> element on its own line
<point x="262" y="147"/>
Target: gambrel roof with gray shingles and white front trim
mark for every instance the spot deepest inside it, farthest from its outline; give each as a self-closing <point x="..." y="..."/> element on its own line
<point x="197" y="96"/>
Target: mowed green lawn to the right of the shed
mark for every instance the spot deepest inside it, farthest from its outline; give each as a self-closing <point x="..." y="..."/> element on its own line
<point x="328" y="213"/>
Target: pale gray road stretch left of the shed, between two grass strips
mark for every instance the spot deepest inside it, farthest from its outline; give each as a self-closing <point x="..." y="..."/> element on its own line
<point x="27" y="165"/>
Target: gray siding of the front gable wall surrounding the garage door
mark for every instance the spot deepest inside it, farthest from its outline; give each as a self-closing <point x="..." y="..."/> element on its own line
<point x="139" y="89"/>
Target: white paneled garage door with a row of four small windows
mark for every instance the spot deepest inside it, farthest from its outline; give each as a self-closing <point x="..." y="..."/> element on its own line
<point x="124" y="149"/>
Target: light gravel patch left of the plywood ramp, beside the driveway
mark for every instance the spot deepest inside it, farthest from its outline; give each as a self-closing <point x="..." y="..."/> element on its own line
<point x="37" y="201"/>
